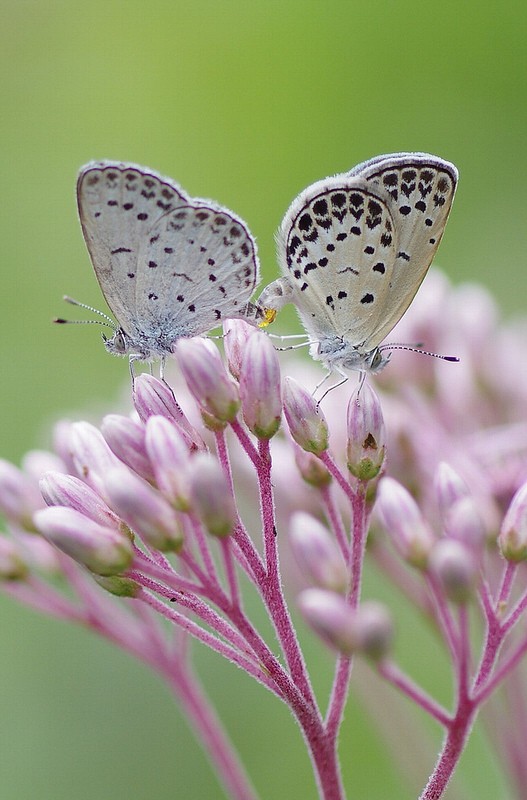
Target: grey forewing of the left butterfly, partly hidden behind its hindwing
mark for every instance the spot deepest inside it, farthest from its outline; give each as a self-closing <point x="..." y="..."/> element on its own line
<point x="119" y="204"/>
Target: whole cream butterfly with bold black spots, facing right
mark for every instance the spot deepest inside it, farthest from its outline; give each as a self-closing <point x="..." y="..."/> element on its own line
<point x="354" y="249"/>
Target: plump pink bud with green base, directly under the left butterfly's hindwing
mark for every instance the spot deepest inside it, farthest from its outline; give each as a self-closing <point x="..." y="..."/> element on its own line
<point x="208" y="381"/>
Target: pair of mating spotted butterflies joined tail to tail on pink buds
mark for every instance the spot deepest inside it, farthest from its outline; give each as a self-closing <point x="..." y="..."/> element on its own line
<point x="353" y="248"/>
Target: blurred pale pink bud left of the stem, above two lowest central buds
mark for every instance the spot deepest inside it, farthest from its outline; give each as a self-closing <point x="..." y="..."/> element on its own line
<point x="317" y="553"/>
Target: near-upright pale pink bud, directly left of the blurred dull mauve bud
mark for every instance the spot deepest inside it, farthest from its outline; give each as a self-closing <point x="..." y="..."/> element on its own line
<point x="169" y="454"/>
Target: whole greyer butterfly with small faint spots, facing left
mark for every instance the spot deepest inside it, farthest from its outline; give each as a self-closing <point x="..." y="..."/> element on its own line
<point x="169" y="266"/>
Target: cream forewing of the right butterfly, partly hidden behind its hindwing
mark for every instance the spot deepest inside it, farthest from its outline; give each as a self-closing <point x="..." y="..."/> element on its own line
<point x="419" y="189"/>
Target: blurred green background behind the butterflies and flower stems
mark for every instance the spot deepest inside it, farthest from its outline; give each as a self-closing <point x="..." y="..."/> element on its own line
<point x="247" y="103"/>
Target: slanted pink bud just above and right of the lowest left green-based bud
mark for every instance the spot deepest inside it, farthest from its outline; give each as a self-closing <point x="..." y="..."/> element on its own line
<point x="143" y="509"/>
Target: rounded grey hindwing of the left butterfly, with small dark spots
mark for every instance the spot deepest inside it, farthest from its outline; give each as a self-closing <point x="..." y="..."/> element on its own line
<point x="197" y="266"/>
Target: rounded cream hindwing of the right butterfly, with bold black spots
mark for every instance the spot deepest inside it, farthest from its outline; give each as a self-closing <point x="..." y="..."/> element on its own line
<point x="337" y="246"/>
